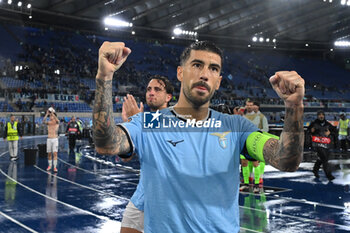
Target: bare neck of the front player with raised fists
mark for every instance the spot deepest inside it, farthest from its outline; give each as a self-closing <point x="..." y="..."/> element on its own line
<point x="186" y="108"/>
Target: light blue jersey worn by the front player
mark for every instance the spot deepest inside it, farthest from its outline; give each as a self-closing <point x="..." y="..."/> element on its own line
<point x="190" y="175"/>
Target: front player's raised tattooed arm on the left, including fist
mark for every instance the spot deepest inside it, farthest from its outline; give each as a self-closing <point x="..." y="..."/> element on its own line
<point x="109" y="139"/>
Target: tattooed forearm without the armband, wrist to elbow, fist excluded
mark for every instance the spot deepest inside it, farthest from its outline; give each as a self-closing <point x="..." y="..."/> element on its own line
<point x="109" y="139"/>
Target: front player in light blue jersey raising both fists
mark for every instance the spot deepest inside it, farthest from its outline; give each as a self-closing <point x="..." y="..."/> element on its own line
<point x="189" y="153"/>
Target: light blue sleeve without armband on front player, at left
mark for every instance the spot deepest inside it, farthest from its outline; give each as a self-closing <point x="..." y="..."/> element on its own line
<point x="133" y="130"/>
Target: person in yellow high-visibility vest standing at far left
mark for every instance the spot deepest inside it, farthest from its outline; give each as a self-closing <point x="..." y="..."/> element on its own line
<point x="13" y="131"/>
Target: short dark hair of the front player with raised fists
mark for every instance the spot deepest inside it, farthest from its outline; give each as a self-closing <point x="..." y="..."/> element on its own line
<point x="201" y="45"/>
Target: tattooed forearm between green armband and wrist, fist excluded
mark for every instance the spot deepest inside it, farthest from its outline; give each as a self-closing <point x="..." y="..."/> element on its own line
<point x="287" y="153"/>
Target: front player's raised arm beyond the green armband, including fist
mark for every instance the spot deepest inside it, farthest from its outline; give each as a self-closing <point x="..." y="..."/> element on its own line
<point x="287" y="153"/>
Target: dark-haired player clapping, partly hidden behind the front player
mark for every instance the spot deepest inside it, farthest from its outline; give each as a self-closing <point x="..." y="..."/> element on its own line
<point x="159" y="92"/>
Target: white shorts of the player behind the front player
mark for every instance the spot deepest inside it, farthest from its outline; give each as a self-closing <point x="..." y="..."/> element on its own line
<point x="133" y="217"/>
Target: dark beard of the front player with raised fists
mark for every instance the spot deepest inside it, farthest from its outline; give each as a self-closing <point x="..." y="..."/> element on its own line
<point x="201" y="99"/>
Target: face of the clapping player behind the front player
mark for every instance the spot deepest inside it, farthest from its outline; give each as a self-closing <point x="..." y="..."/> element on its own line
<point x="156" y="95"/>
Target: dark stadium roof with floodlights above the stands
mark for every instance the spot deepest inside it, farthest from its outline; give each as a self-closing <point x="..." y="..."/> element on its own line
<point x="293" y="23"/>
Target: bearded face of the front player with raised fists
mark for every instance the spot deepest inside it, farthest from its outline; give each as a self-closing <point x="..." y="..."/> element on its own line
<point x="200" y="76"/>
